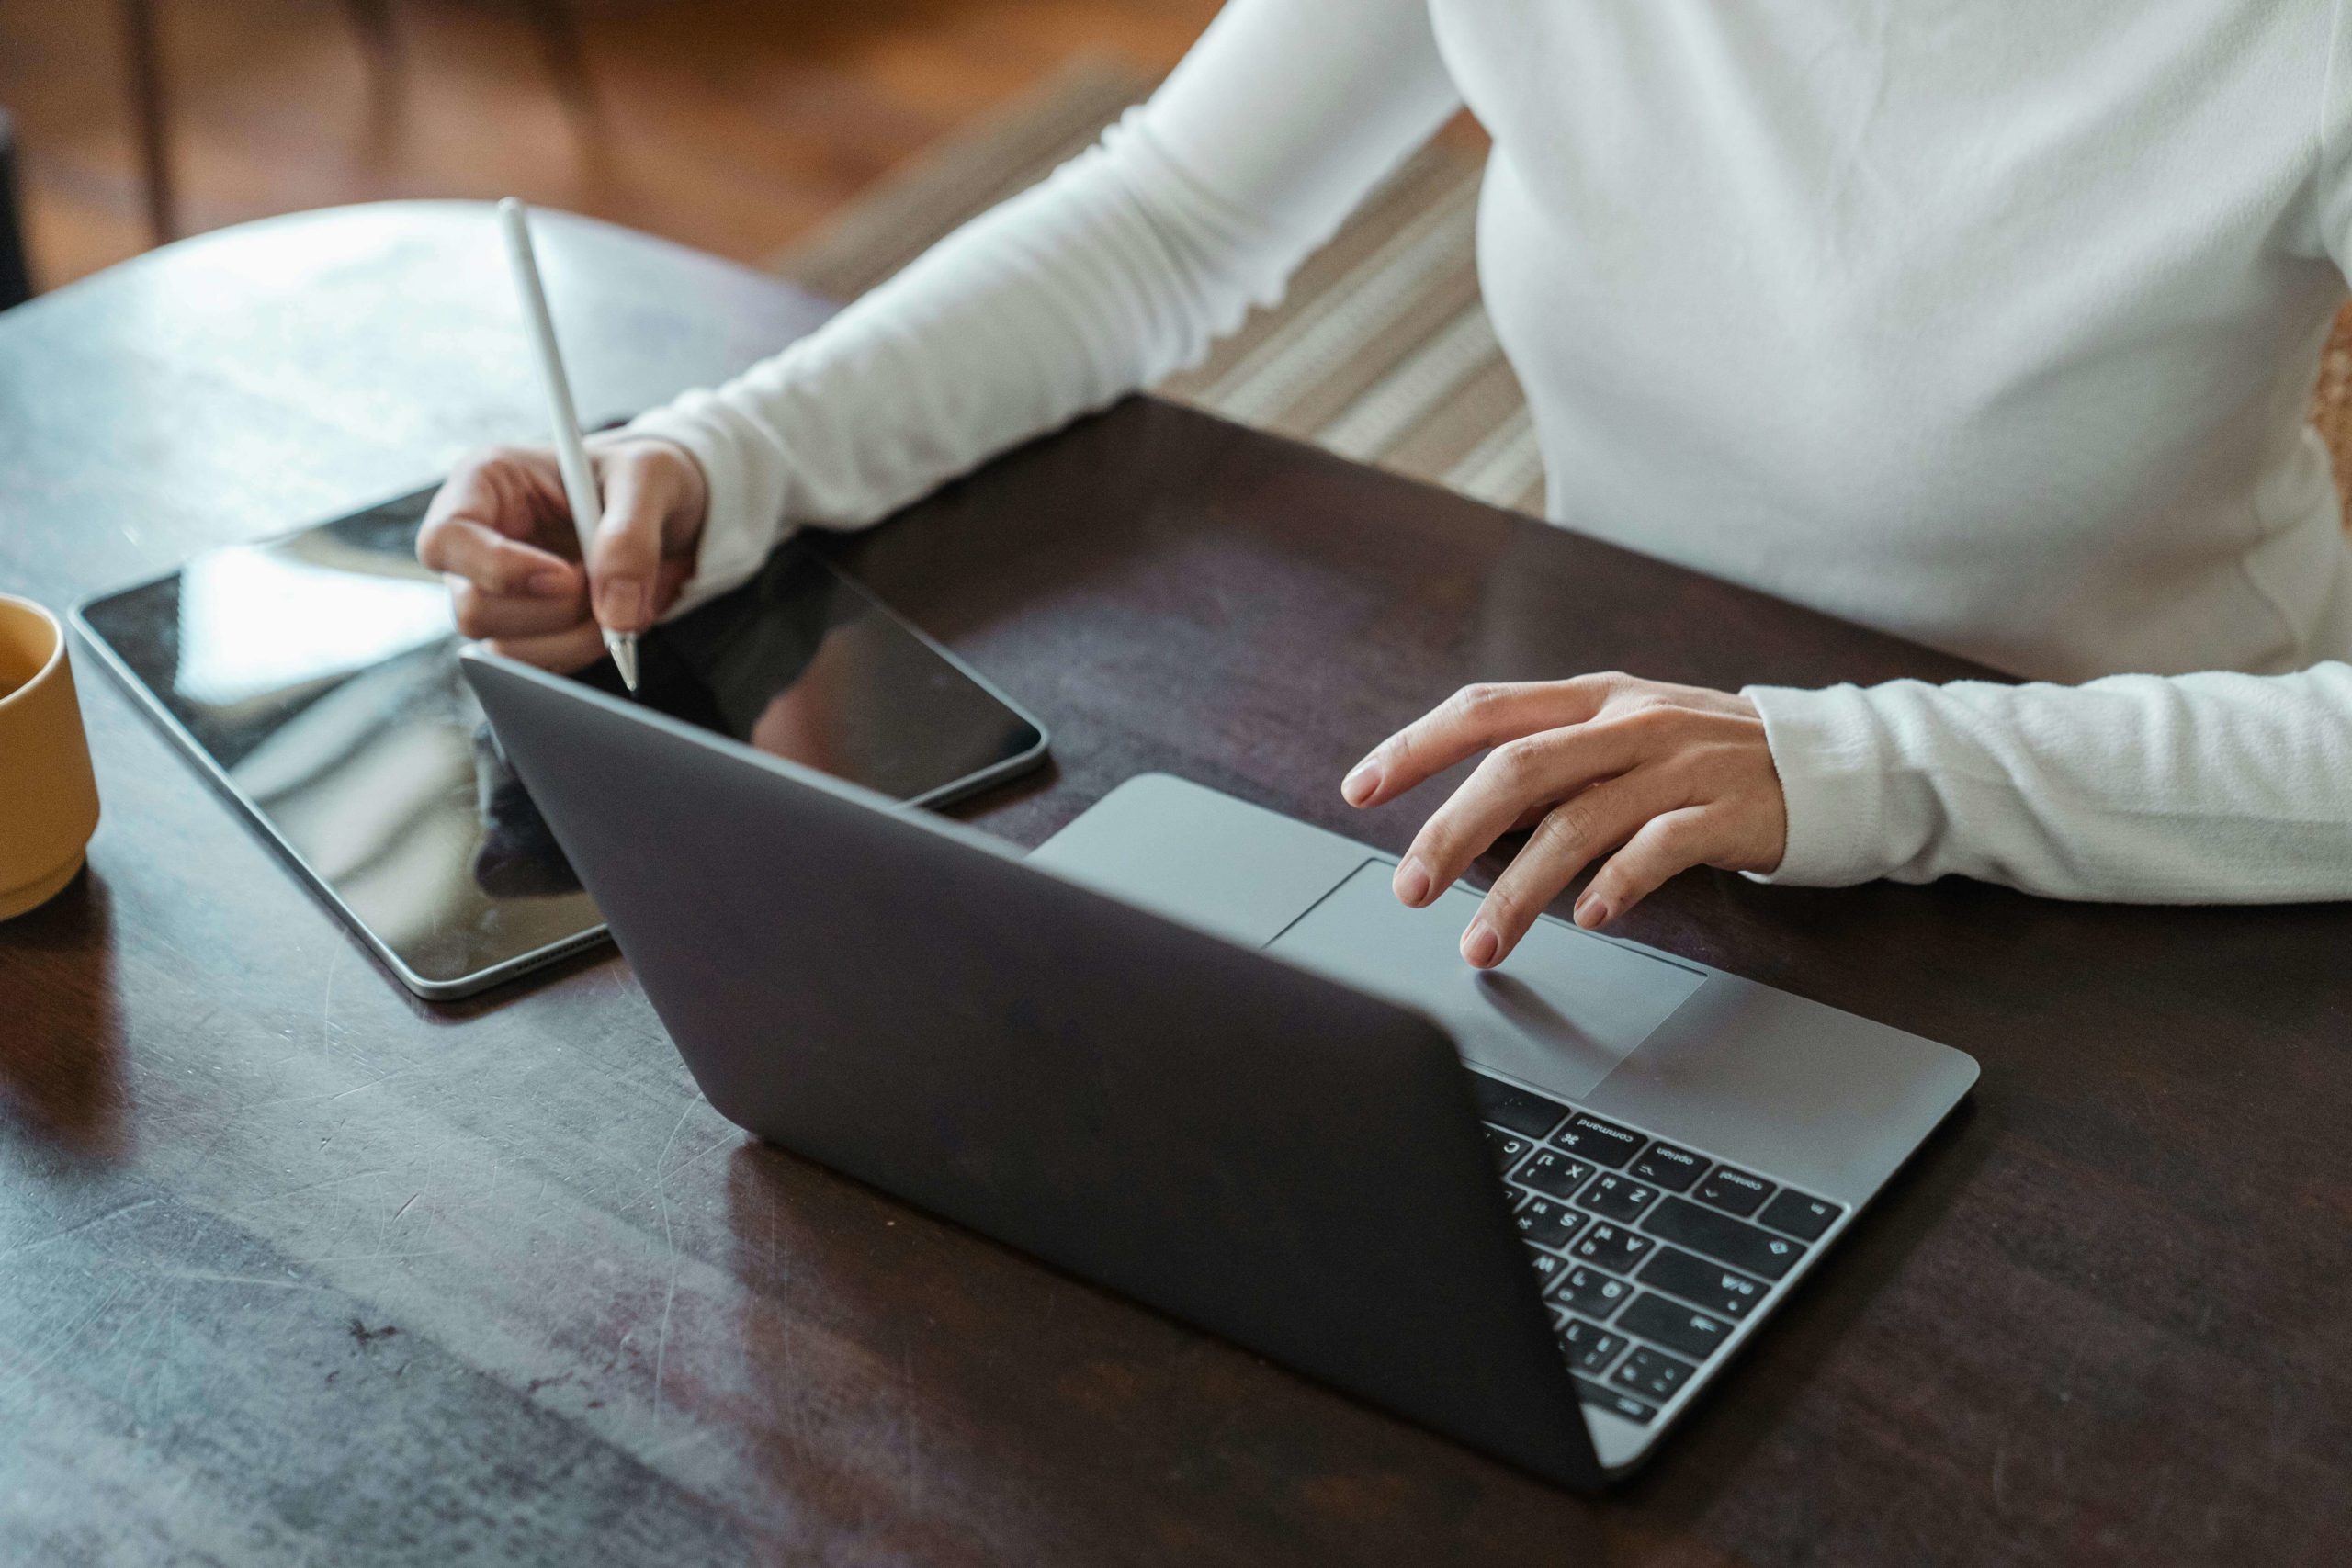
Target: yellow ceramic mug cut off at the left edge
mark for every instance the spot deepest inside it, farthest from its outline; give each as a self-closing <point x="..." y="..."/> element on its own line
<point x="48" y="796"/>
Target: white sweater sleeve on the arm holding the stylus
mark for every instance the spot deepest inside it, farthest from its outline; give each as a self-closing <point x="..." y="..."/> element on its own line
<point x="1109" y="276"/>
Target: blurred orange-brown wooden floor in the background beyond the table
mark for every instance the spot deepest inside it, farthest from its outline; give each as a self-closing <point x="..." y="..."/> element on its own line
<point x="723" y="123"/>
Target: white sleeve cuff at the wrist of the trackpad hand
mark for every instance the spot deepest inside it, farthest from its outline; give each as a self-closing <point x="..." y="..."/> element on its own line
<point x="1833" y="777"/>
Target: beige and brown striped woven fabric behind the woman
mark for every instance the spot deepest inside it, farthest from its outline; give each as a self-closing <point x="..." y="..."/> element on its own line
<point x="1379" y="351"/>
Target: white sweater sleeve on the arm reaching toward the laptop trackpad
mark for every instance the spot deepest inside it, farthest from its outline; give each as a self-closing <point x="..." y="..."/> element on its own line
<point x="2139" y="789"/>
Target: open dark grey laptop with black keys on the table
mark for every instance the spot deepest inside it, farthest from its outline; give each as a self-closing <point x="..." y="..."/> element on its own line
<point x="1196" y="1052"/>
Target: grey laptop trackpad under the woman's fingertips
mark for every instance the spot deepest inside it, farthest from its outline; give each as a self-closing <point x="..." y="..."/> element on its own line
<point x="1561" y="1012"/>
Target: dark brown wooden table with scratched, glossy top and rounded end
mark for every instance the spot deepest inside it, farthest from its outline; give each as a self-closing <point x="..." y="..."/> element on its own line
<point x="295" y="1268"/>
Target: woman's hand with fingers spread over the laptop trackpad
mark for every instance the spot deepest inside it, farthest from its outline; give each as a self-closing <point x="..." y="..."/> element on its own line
<point x="1669" y="777"/>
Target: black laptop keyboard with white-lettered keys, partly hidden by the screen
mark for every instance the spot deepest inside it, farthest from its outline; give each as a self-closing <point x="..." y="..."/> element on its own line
<point x="1650" y="1254"/>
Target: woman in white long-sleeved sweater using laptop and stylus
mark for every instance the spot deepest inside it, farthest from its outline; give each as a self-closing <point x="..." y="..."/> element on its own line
<point x="1984" y="323"/>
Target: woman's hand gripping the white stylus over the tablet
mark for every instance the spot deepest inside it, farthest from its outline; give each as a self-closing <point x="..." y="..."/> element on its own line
<point x="502" y="532"/>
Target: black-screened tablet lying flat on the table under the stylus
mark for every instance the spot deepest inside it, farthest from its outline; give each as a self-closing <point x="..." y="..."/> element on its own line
<point x="314" y="678"/>
